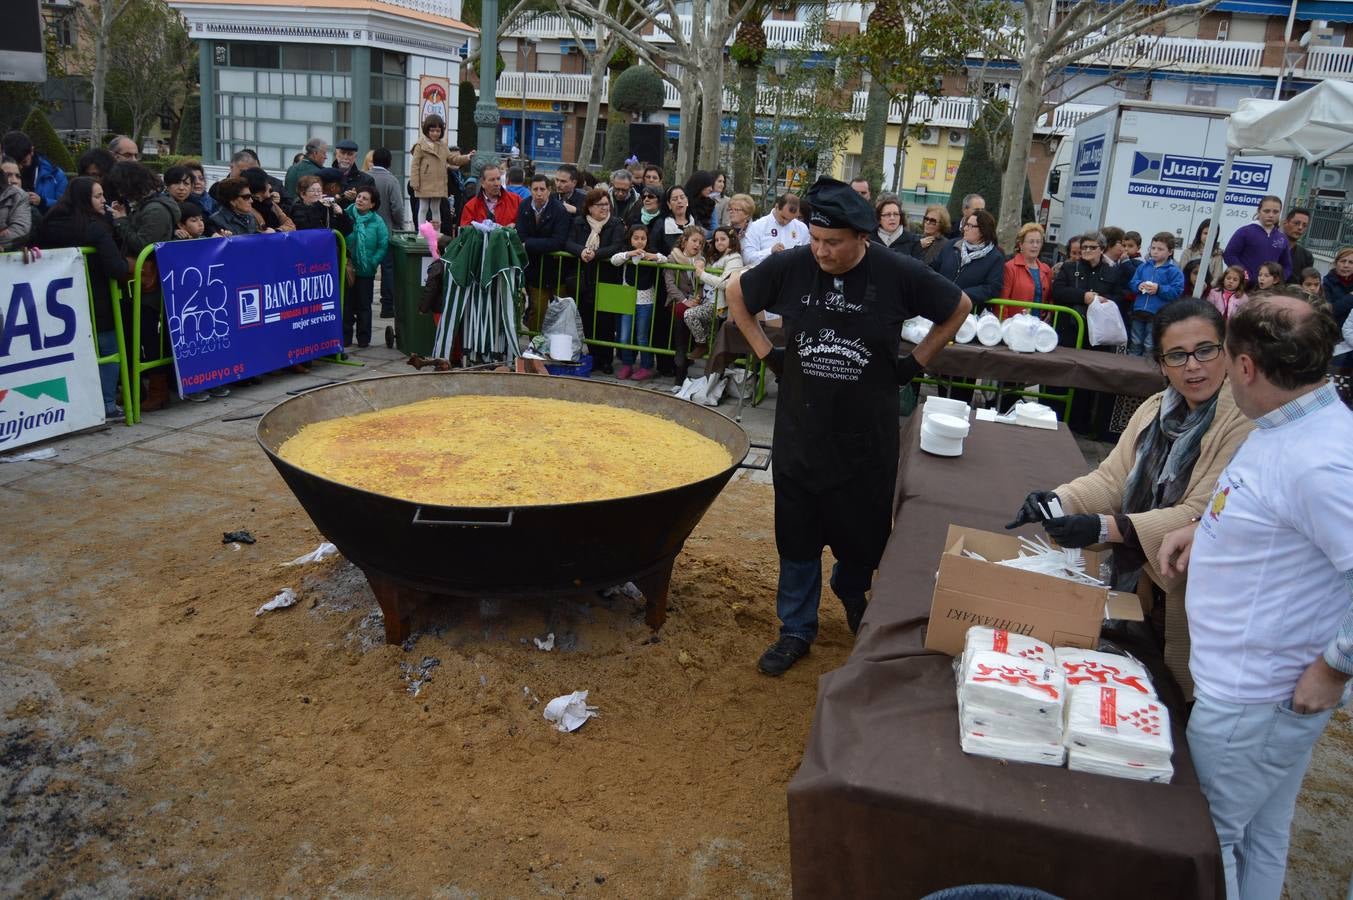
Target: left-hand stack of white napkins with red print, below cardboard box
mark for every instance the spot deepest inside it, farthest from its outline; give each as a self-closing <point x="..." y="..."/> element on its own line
<point x="1011" y="699"/>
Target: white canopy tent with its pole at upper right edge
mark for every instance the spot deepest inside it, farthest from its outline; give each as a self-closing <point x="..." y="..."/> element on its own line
<point x="1316" y="127"/>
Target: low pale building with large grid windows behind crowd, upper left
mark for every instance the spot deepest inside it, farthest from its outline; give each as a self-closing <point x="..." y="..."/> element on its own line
<point x="274" y="74"/>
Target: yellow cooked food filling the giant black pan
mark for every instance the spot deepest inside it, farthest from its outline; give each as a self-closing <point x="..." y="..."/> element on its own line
<point x="505" y="451"/>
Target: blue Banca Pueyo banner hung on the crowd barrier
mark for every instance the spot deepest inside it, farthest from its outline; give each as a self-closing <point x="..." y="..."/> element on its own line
<point x="250" y="305"/>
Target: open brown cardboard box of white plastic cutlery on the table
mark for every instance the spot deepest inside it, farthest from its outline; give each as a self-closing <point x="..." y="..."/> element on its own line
<point x="971" y="592"/>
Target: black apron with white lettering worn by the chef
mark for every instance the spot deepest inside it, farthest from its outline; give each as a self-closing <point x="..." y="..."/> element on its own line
<point x="837" y="432"/>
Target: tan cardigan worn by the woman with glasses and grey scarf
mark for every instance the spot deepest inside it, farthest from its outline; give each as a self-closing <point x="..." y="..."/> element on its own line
<point x="1102" y="493"/>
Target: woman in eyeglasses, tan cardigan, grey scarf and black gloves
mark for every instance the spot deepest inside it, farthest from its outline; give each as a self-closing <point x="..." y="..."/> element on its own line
<point x="1160" y="476"/>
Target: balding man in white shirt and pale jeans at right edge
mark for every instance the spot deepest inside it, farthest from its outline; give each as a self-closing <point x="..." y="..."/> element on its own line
<point x="1270" y="588"/>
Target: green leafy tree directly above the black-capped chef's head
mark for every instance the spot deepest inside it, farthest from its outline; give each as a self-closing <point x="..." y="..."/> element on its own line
<point x="906" y="51"/>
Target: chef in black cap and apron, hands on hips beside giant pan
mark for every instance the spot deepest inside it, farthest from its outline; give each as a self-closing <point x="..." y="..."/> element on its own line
<point x="837" y="435"/>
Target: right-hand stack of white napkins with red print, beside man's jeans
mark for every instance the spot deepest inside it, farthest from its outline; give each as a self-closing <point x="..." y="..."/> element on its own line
<point x="1116" y="726"/>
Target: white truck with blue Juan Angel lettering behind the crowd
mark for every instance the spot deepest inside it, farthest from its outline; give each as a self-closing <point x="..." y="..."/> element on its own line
<point x="1155" y="167"/>
